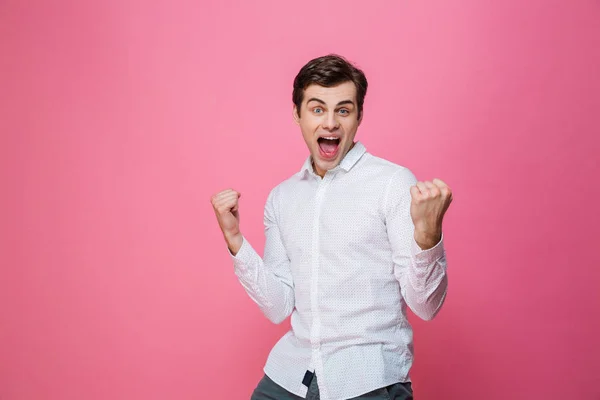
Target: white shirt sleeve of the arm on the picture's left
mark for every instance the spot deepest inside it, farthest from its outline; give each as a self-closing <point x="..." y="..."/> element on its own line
<point x="267" y="281"/>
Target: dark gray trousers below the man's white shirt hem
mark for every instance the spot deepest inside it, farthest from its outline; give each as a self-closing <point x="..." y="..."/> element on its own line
<point x="269" y="390"/>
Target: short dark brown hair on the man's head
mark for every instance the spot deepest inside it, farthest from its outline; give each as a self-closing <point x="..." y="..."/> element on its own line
<point x="328" y="71"/>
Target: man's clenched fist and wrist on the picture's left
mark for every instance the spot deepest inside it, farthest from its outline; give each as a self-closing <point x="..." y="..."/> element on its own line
<point x="226" y="207"/>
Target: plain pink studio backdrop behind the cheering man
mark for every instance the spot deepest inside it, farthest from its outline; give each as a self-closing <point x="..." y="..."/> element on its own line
<point x="119" y="119"/>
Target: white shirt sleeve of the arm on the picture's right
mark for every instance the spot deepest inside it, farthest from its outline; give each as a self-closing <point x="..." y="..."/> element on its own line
<point x="421" y="273"/>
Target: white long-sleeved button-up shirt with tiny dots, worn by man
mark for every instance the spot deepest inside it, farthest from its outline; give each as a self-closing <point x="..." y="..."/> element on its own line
<point x="341" y="258"/>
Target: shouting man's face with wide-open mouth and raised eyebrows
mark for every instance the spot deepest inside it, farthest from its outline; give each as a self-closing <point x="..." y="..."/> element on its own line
<point x="328" y="121"/>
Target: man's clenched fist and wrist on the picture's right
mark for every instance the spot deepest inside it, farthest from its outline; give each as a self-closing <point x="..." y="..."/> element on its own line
<point x="430" y="200"/>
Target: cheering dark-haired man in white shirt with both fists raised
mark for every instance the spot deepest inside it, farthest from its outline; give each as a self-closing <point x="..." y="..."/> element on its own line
<point x="351" y="240"/>
